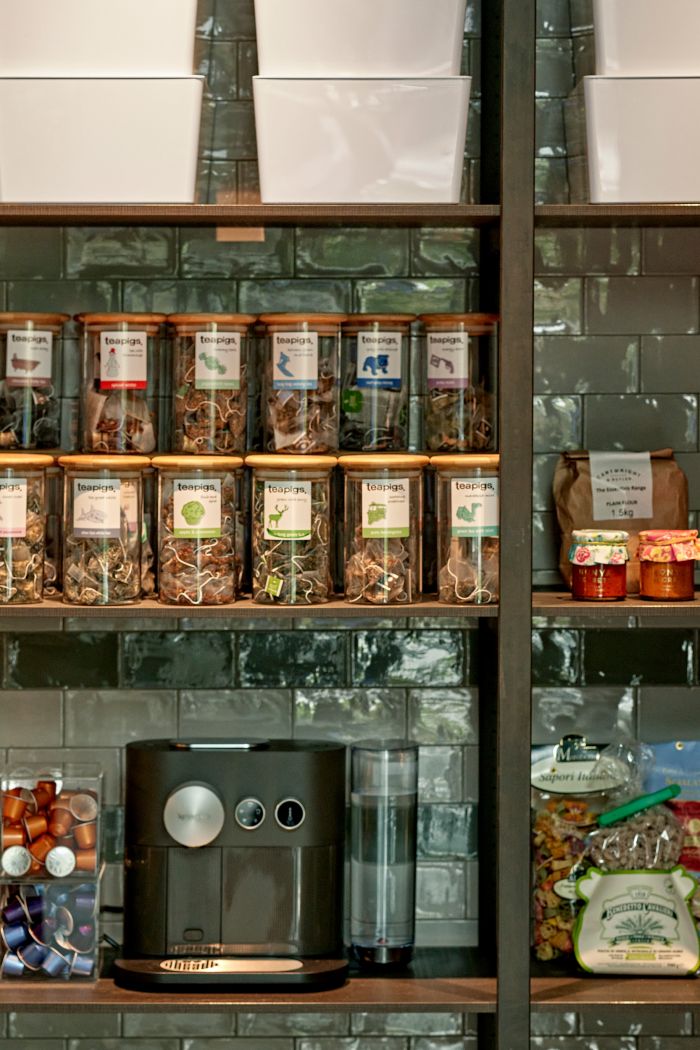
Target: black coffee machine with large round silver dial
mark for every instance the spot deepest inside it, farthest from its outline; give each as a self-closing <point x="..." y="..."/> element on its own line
<point x="235" y="865"/>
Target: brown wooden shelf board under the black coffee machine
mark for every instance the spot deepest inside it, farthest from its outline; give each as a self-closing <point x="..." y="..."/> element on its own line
<point x="435" y="982"/>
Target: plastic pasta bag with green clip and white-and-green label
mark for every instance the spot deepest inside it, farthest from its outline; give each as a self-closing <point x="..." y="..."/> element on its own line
<point x="637" y="917"/>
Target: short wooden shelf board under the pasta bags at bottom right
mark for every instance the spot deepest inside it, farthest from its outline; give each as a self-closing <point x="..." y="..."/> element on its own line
<point x="595" y="994"/>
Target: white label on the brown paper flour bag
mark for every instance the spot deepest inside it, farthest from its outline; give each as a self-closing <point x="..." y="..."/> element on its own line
<point x="622" y="486"/>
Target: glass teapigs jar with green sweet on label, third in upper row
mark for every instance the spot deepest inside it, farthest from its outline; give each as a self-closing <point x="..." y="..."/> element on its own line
<point x="210" y="383"/>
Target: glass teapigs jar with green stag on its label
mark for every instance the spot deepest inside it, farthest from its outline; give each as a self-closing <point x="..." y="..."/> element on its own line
<point x="291" y="530"/>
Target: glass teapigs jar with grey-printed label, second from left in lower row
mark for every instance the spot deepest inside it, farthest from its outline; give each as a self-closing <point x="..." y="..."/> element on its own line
<point x="103" y="529"/>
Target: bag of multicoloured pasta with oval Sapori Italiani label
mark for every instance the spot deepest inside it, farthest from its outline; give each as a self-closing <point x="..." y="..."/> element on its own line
<point x="572" y="784"/>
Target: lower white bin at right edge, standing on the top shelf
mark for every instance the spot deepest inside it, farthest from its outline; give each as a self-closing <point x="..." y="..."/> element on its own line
<point x="643" y="137"/>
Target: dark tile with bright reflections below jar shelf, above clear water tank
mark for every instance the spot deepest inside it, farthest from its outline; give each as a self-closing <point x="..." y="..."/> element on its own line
<point x="409" y="659"/>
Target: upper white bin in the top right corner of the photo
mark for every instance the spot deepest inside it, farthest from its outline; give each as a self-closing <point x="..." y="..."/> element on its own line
<point x="647" y="38"/>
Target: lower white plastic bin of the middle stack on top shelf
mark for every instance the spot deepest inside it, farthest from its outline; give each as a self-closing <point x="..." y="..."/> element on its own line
<point x="362" y="141"/>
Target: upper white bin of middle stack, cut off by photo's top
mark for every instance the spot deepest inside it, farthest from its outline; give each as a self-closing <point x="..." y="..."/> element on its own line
<point x="359" y="38"/>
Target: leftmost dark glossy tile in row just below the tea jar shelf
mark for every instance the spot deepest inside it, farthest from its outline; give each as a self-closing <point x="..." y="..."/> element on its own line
<point x="46" y="661"/>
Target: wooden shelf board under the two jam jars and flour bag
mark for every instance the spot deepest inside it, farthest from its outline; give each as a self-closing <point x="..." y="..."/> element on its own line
<point x="560" y="605"/>
